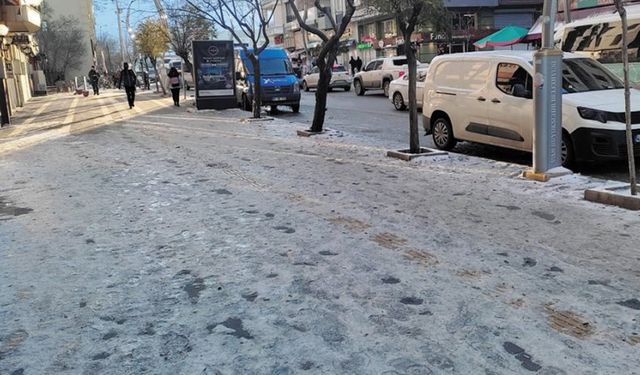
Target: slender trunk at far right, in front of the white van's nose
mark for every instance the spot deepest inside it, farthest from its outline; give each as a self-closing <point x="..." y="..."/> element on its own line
<point x="627" y="96"/>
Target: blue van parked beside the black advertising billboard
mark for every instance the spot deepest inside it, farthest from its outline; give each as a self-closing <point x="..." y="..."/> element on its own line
<point x="280" y="86"/>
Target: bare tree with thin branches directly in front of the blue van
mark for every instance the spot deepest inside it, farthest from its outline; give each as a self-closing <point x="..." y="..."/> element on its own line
<point x="246" y="21"/>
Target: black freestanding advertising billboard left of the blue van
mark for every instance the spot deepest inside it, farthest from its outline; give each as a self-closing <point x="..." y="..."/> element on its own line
<point x="214" y="69"/>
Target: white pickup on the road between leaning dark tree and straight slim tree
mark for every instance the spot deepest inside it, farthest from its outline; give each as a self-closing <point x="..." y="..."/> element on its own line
<point x="379" y="73"/>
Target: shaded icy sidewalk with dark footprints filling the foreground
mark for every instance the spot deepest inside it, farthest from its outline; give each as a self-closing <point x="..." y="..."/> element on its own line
<point x="194" y="243"/>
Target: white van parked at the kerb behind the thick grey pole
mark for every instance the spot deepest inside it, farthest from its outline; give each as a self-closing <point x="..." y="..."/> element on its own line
<point x="487" y="97"/>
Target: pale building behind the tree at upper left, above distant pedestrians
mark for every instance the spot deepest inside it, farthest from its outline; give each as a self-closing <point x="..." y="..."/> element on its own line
<point x="82" y="10"/>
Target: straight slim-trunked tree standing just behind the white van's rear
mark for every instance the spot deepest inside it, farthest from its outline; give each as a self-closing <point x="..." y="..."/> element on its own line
<point x="410" y="14"/>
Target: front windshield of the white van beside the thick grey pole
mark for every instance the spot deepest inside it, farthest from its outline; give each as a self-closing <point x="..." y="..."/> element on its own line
<point x="581" y="75"/>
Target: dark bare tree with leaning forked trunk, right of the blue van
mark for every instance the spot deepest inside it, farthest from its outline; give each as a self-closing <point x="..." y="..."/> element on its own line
<point x="326" y="56"/>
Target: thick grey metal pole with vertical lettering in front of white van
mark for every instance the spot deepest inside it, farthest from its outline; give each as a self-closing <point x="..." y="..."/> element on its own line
<point x="547" y="135"/>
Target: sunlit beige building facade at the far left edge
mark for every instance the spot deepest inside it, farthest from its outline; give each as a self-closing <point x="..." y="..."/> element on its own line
<point x="19" y="74"/>
